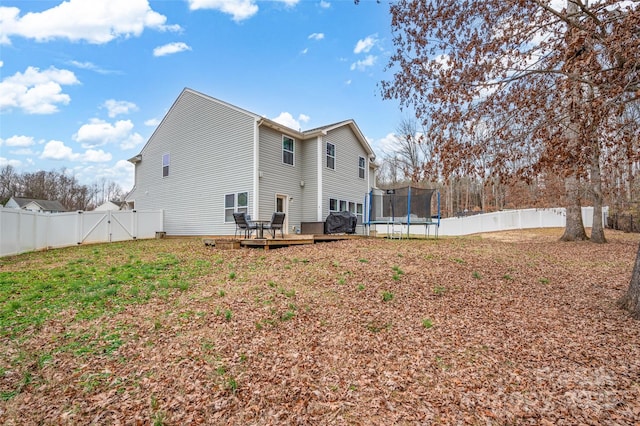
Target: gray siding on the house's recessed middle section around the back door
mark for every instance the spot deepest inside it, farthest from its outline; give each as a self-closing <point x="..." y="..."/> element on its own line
<point x="278" y="178"/>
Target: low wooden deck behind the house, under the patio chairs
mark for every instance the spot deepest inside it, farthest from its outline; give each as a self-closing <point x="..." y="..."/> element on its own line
<point x="270" y="243"/>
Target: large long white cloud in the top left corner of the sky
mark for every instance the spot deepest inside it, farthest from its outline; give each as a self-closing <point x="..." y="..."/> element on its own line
<point x="95" y="21"/>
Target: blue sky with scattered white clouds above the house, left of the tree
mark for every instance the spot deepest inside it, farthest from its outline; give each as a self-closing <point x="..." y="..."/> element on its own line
<point x="84" y="83"/>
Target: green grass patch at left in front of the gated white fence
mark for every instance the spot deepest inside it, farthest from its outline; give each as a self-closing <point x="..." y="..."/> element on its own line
<point x="93" y="284"/>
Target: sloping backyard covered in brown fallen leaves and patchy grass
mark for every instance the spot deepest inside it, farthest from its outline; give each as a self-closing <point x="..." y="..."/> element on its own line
<point x="507" y="328"/>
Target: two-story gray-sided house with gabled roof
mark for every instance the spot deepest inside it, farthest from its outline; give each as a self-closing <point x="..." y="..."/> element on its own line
<point x="208" y="159"/>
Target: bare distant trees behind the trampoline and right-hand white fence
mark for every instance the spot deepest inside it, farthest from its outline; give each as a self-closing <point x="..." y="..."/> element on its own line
<point x="415" y="159"/>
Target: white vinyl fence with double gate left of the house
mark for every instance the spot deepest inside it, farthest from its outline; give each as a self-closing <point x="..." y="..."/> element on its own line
<point x="22" y="231"/>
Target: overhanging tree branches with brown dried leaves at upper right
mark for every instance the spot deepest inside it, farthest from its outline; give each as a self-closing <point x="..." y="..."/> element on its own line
<point x="505" y="80"/>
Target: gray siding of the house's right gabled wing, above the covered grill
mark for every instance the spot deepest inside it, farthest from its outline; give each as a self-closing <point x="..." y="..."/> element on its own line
<point x="348" y="150"/>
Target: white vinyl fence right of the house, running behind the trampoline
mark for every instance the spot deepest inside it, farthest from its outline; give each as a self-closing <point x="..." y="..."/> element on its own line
<point x="498" y="221"/>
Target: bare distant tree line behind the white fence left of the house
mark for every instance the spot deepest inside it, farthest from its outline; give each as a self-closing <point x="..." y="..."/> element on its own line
<point x="57" y="185"/>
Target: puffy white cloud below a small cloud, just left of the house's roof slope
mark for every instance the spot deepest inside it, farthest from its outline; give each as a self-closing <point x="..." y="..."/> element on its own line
<point x="98" y="133"/>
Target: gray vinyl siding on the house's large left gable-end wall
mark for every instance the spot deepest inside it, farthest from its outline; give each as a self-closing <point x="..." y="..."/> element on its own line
<point x="211" y="154"/>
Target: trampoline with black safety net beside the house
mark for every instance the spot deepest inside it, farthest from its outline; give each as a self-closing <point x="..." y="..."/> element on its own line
<point x="400" y="208"/>
